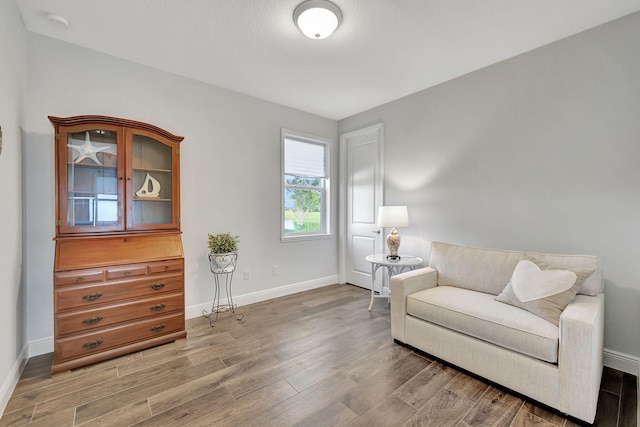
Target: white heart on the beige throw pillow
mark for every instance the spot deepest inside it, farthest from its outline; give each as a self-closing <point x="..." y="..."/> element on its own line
<point x="530" y="283"/>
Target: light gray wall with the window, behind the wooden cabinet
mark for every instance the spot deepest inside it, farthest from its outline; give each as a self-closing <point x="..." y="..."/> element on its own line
<point x="230" y="168"/>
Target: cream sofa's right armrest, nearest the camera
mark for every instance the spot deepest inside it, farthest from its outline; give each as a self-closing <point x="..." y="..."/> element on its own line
<point x="581" y="354"/>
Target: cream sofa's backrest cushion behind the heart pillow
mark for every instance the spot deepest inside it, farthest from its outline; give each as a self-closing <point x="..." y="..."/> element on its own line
<point x="489" y="270"/>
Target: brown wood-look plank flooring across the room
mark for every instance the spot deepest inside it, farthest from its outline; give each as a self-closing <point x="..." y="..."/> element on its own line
<point x="317" y="358"/>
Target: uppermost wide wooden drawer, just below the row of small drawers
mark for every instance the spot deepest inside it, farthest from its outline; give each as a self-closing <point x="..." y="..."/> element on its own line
<point x="72" y="297"/>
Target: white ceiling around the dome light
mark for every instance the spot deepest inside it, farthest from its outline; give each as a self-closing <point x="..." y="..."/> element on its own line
<point x="383" y="50"/>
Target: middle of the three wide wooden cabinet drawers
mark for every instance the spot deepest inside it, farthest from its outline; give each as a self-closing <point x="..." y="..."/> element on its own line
<point x="100" y="317"/>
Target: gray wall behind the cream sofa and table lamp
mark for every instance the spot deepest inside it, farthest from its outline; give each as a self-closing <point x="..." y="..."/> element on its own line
<point x="540" y="152"/>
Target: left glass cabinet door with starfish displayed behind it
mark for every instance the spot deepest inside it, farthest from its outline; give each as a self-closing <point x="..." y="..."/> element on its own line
<point x="92" y="166"/>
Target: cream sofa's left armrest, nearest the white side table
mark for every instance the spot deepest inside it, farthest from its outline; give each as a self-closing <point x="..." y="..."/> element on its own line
<point x="405" y="284"/>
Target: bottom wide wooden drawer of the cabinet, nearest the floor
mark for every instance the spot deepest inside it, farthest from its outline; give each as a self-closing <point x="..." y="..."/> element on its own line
<point x="104" y="339"/>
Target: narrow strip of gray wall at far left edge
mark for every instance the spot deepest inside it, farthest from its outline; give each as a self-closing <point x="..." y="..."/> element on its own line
<point x="13" y="62"/>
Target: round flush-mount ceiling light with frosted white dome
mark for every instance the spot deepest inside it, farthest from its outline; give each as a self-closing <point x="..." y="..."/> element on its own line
<point x="317" y="19"/>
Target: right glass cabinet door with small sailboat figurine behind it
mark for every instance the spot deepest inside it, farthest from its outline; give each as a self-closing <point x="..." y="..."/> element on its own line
<point x="152" y="182"/>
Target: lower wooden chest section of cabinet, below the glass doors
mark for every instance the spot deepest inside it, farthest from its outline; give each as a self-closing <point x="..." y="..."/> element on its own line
<point x="115" y="294"/>
